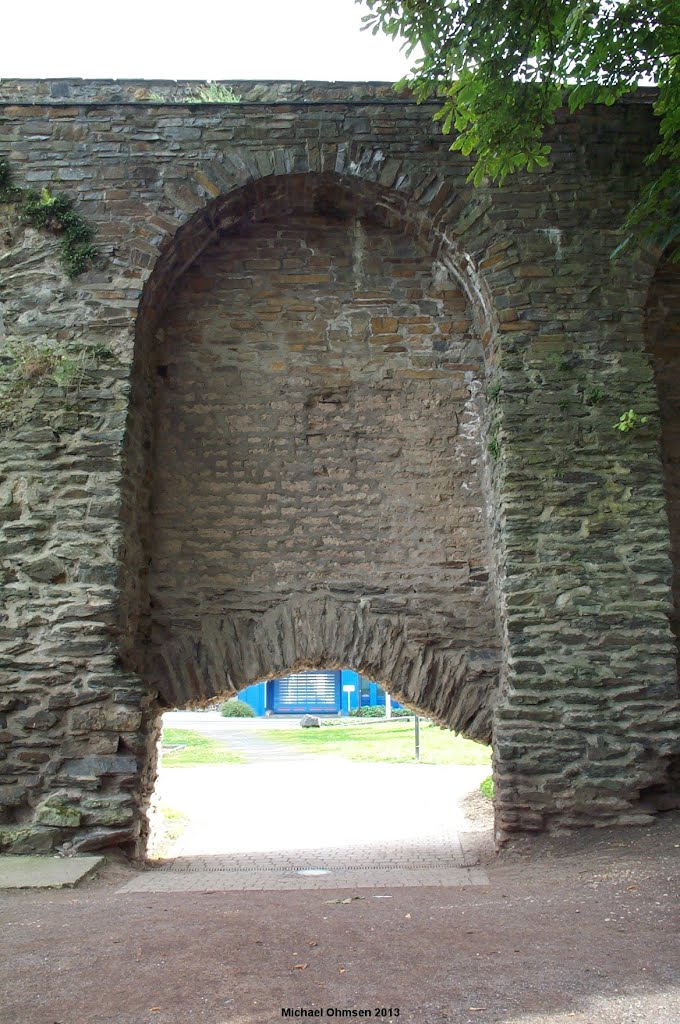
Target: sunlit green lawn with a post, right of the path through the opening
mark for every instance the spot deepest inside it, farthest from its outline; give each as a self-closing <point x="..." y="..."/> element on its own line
<point x="392" y="742"/>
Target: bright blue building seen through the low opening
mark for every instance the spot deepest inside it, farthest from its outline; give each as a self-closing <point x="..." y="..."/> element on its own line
<point x="337" y="692"/>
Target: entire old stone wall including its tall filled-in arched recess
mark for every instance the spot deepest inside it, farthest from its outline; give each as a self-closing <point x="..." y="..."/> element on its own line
<point x="332" y="406"/>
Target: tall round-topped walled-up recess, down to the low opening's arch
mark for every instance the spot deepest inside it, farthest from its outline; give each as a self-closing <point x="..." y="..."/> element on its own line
<point x="317" y="474"/>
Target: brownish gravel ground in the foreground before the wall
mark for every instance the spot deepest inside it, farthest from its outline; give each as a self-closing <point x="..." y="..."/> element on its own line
<point x="572" y="930"/>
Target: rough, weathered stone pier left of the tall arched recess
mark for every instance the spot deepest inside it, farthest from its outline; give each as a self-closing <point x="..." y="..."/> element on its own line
<point x="72" y="723"/>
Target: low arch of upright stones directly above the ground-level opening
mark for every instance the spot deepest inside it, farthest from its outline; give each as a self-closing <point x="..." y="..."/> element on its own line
<point x="319" y="632"/>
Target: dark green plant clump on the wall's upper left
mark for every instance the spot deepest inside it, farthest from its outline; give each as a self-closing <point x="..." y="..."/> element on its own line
<point x="54" y="214"/>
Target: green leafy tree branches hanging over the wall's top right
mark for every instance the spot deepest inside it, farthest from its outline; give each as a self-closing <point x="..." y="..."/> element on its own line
<point x="502" y="68"/>
